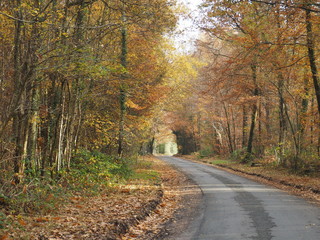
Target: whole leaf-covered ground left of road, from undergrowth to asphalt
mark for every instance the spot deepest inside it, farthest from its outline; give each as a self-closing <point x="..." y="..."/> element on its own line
<point x="140" y="209"/>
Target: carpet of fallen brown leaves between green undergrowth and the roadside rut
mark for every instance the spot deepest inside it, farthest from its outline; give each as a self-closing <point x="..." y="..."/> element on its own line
<point x="92" y="217"/>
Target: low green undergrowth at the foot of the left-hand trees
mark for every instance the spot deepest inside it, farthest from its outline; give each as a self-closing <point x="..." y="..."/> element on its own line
<point x="91" y="173"/>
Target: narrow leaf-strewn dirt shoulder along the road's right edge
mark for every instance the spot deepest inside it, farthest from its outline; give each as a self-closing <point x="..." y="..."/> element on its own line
<point x="304" y="186"/>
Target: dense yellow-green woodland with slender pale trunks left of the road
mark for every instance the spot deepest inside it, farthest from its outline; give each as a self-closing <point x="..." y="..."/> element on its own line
<point x="78" y="74"/>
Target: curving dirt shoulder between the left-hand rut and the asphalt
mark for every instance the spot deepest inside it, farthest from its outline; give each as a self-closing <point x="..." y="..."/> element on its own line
<point x="181" y="197"/>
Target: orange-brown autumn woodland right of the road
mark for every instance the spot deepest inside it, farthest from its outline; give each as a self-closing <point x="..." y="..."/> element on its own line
<point x="258" y="95"/>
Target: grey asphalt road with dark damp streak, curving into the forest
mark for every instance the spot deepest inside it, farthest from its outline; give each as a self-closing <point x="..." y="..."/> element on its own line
<point x="235" y="208"/>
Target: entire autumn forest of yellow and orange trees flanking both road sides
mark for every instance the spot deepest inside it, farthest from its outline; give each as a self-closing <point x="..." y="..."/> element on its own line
<point x="89" y="86"/>
